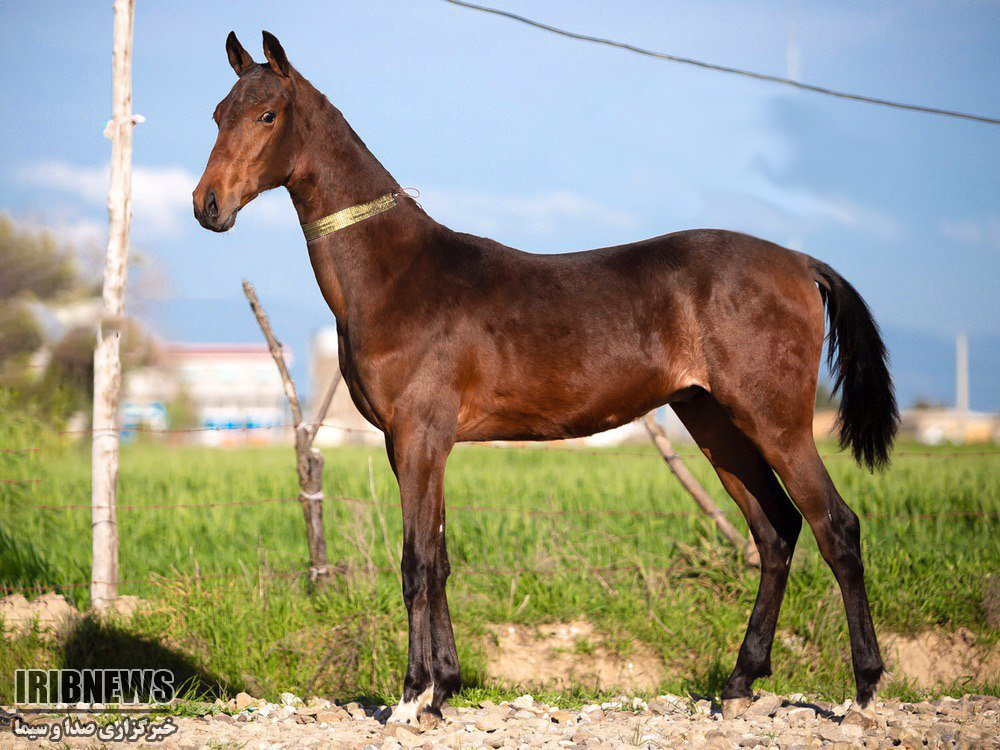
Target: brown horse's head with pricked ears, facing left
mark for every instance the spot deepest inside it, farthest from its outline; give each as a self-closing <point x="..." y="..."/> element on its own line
<point x="254" y="151"/>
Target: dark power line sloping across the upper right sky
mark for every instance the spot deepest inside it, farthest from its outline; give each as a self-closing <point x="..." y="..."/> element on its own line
<point x="728" y="69"/>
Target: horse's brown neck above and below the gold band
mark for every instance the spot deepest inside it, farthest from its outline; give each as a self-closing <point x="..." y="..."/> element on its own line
<point x="335" y="171"/>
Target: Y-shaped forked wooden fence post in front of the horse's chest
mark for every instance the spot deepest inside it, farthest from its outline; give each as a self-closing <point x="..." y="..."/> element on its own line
<point x="309" y="460"/>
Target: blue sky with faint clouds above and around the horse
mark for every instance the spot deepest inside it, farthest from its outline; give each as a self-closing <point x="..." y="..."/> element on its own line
<point x="547" y="144"/>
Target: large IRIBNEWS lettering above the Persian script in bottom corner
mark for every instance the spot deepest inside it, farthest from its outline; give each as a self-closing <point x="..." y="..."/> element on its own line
<point x="92" y="690"/>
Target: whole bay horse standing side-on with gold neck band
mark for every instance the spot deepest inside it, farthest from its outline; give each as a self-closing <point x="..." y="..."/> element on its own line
<point x="448" y="337"/>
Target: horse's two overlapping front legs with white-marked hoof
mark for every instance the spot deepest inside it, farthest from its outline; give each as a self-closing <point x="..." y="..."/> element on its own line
<point x="418" y="450"/>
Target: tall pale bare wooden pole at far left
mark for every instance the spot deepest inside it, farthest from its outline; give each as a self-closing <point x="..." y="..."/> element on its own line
<point x="107" y="360"/>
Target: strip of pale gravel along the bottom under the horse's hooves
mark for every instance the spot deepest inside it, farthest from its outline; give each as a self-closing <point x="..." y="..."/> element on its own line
<point x="668" y="721"/>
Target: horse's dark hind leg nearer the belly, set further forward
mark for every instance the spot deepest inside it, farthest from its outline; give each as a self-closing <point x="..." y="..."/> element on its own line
<point x="774" y="523"/>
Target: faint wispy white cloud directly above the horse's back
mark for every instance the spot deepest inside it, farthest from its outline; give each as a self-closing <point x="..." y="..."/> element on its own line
<point x="543" y="215"/>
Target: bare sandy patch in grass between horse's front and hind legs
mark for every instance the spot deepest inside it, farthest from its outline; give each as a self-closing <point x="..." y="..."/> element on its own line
<point x="561" y="655"/>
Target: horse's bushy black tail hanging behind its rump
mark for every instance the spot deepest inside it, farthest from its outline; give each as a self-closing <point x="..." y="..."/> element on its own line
<point x="868" y="417"/>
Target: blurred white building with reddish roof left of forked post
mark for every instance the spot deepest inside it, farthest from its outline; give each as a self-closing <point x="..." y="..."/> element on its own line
<point x="225" y="393"/>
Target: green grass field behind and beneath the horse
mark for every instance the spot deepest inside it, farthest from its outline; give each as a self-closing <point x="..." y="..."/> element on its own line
<point x="223" y="612"/>
